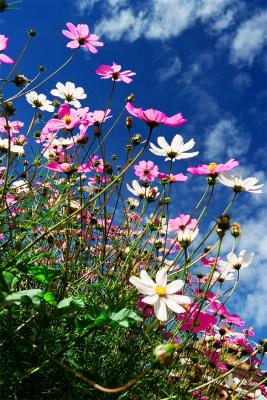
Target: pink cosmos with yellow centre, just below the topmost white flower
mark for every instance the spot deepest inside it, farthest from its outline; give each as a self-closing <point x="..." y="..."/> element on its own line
<point x="68" y="119"/>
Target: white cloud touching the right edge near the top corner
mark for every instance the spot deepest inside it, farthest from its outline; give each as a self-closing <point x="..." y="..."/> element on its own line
<point x="250" y="39"/>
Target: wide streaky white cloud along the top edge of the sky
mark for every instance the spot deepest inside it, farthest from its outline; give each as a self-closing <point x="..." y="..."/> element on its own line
<point x="157" y="19"/>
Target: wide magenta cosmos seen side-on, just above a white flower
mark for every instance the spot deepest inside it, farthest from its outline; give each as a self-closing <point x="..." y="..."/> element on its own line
<point x="154" y="117"/>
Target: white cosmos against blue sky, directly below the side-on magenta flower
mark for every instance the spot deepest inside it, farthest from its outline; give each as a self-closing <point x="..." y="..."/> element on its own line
<point x="176" y="151"/>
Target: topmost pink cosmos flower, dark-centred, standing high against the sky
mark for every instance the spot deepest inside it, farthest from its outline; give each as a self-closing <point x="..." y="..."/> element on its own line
<point x="80" y="37"/>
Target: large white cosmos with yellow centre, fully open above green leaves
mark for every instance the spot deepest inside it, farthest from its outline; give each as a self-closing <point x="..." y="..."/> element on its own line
<point x="159" y="294"/>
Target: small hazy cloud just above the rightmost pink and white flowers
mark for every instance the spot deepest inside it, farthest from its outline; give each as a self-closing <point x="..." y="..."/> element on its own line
<point x="226" y="139"/>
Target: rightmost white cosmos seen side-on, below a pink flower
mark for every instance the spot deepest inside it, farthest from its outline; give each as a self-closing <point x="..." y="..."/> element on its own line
<point x="240" y="185"/>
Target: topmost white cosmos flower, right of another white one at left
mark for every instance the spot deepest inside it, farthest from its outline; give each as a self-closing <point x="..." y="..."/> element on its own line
<point x="69" y="93"/>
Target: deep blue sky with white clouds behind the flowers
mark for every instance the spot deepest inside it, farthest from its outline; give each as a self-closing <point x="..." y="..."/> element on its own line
<point x="204" y="58"/>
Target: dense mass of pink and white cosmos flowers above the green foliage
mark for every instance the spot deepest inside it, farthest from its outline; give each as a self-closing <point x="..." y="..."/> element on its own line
<point x="190" y="308"/>
